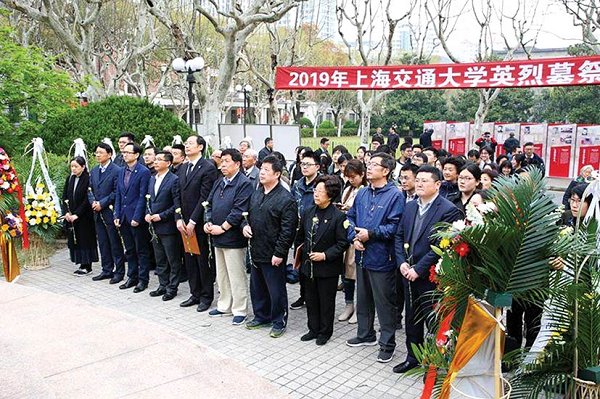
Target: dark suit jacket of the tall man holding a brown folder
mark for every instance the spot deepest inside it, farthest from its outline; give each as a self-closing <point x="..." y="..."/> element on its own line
<point x="195" y="188"/>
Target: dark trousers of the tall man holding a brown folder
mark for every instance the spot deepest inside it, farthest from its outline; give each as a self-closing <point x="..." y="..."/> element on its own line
<point x="201" y="277"/>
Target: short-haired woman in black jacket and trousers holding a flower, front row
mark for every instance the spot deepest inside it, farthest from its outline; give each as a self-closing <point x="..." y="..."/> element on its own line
<point x="324" y="239"/>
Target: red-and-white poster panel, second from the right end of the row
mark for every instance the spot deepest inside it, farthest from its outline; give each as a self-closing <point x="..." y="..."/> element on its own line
<point x="561" y="150"/>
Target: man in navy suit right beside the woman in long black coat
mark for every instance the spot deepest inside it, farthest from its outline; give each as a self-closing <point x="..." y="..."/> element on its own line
<point x="103" y="185"/>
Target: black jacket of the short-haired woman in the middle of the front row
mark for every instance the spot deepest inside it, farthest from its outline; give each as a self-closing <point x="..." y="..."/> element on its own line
<point x="330" y="237"/>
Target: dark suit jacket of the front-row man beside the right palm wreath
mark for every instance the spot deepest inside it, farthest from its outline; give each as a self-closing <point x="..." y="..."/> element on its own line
<point x="423" y="256"/>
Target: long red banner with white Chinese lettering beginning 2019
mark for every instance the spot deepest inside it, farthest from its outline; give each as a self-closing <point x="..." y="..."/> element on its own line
<point x="567" y="71"/>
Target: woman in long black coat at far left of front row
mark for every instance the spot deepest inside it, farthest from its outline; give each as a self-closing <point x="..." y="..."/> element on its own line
<point x="79" y="218"/>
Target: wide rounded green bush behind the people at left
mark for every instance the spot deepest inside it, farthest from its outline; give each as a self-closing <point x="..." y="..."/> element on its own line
<point x="108" y="118"/>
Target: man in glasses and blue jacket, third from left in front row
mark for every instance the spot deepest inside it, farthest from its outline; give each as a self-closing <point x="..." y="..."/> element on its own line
<point x="130" y="206"/>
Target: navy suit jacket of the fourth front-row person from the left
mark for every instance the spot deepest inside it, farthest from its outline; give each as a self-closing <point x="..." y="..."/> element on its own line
<point x="164" y="203"/>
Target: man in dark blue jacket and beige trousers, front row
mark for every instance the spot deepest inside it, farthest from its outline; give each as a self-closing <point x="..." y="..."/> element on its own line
<point x="229" y="198"/>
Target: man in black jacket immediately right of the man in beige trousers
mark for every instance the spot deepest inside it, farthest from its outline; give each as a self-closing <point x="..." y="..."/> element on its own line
<point x="271" y="227"/>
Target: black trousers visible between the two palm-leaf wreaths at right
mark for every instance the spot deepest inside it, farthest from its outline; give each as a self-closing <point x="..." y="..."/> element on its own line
<point x="514" y="324"/>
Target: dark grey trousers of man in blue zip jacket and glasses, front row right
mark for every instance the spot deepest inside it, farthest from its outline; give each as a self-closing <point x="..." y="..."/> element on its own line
<point x="376" y="291"/>
